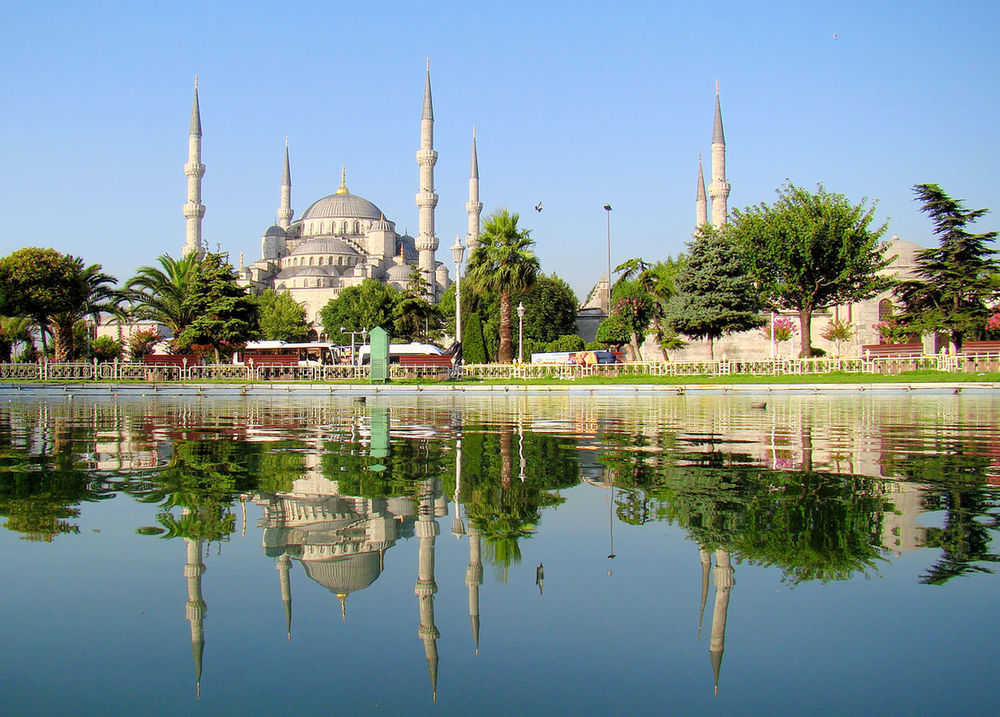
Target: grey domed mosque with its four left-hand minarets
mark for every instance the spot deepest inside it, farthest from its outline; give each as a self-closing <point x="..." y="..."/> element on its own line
<point x="341" y="239"/>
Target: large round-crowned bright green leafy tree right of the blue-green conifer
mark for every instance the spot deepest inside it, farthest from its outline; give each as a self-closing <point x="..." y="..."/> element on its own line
<point x="810" y="251"/>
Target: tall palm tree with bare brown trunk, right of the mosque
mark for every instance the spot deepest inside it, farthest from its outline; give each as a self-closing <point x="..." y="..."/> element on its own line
<point x="504" y="264"/>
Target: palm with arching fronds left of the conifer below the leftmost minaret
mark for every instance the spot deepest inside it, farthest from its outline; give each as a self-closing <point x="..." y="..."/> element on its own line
<point x="157" y="294"/>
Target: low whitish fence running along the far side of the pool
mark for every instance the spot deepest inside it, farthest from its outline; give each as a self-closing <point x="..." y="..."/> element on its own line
<point x="884" y="365"/>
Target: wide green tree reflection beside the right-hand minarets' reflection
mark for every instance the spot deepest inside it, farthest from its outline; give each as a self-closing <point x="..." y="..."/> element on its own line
<point x="812" y="526"/>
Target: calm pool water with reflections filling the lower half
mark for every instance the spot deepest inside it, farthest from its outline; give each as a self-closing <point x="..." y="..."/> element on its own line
<point x="240" y="556"/>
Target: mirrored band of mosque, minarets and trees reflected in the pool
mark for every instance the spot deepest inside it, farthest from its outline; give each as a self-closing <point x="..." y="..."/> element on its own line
<point x="821" y="491"/>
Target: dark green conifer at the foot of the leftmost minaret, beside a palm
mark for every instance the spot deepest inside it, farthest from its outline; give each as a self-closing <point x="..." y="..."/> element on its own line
<point x="225" y="317"/>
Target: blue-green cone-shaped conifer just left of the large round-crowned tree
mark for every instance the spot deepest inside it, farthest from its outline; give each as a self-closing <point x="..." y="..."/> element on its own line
<point x="715" y="295"/>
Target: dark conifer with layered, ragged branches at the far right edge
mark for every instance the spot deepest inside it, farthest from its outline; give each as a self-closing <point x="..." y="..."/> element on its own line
<point x="955" y="289"/>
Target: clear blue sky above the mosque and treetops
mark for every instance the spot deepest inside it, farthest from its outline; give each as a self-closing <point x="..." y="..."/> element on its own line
<point x="576" y="103"/>
